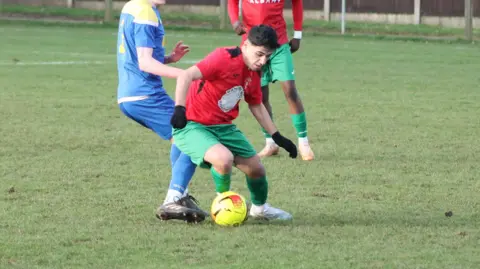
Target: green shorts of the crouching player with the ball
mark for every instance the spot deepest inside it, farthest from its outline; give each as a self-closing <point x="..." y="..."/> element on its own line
<point x="195" y="139"/>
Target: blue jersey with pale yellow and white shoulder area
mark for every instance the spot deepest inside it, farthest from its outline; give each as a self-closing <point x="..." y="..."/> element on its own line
<point x="140" y="26"/>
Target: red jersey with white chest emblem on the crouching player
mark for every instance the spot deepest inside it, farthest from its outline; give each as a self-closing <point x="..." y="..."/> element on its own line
<point x="226" y="80"/>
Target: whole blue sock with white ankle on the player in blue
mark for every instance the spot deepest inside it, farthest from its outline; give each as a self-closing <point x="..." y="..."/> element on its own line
<point x="182" y="173"/>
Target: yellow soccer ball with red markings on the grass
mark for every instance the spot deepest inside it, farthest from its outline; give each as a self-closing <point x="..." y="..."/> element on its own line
<point x="229" y="209"/>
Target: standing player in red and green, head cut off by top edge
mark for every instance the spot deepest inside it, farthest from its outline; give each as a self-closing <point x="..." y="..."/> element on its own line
<point x="280" y="67"/>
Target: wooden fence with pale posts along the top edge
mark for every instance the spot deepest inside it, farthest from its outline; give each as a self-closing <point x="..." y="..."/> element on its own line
<point x="435" y="12"/>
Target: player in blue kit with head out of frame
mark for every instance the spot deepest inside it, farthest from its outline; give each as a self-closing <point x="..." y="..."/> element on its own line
<point x="141" y="64"/>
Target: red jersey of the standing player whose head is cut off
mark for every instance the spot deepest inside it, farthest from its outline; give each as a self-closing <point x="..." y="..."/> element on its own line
<point x="269" y="12"/>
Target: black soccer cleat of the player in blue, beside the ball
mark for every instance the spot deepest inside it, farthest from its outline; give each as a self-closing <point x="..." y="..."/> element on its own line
<point x="184" y="209"/>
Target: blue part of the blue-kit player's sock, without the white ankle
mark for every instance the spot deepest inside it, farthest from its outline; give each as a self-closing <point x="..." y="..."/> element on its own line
<point x="182" y="173"/>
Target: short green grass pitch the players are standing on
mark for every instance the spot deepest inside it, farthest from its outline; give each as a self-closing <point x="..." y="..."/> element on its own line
<point x="395" y="127"/>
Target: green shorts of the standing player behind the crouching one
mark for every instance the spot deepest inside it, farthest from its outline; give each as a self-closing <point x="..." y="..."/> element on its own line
<point x="279" y="67"/>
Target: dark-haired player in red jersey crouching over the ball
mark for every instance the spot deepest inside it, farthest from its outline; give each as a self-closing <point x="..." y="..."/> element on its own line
<point x="222" y="79"/>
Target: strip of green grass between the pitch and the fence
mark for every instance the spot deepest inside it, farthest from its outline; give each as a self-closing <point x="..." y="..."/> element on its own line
<point x="203" y="21"/>
